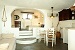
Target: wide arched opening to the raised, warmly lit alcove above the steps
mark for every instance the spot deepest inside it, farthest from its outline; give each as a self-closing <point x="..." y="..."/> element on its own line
<point x="24" y="18"/>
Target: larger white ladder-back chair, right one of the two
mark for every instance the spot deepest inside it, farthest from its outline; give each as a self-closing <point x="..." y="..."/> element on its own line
<point x="50" y="36"/>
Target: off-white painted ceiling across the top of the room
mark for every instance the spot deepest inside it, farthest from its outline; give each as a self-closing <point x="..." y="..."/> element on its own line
<point x="40" y="4"/>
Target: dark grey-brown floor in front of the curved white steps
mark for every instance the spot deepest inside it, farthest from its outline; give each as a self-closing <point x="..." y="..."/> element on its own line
<point x="42" y="46"/>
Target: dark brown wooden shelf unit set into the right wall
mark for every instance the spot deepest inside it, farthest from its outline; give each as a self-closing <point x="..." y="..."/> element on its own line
<point x="66" y="14"/>
